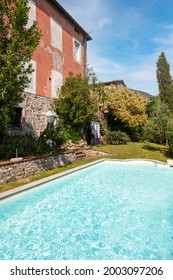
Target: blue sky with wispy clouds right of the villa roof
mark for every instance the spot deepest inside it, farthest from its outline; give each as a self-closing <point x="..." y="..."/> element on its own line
<point x="128" y="37"/>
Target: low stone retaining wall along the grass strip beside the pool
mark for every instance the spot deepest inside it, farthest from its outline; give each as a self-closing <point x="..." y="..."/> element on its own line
<point x="11" y="171"/>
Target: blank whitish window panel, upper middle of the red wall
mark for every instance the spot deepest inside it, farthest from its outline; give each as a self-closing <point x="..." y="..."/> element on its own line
<point x="56" y="34"/>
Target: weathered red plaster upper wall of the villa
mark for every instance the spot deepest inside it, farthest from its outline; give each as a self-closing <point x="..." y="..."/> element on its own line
<point x="54" y="55"/>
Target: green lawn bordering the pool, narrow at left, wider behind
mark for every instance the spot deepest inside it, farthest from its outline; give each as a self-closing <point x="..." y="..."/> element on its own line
<point x="130" y="150"/>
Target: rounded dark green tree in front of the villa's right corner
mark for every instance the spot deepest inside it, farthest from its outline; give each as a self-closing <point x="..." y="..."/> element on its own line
<point x="76" y="105"/>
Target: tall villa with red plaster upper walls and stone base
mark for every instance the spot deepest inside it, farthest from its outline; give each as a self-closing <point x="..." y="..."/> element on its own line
<point x="62" y="49"/>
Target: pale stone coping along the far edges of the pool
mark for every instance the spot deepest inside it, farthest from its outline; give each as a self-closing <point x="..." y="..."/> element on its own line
<point x="34" y="184"/>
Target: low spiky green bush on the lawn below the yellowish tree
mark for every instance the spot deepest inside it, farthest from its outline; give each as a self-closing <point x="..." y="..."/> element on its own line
<point x="116" y="138"/>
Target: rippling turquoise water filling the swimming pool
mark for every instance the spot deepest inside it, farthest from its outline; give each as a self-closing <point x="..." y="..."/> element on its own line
<point x="109" y="211"/>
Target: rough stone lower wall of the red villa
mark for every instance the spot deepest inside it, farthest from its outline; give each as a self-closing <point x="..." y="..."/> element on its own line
<point x="34" y="119"/>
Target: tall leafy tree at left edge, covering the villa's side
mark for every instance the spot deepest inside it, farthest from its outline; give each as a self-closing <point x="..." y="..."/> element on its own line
<point x="17" y="44"/>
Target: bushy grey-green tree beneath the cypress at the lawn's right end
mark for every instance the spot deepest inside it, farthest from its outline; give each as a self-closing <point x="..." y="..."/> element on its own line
<point x="160" y="123"/>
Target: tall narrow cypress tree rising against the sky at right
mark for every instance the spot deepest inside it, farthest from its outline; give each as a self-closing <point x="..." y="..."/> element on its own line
<point x="164" y="80"/>
